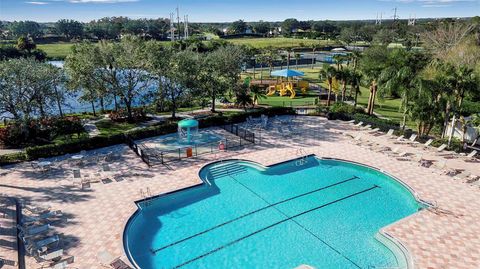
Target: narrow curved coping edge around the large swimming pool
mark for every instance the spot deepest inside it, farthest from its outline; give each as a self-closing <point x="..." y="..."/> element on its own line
<point x="381" y="232"/>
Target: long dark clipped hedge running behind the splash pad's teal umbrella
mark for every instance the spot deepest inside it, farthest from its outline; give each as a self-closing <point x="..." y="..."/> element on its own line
<point x="50" y="150"/>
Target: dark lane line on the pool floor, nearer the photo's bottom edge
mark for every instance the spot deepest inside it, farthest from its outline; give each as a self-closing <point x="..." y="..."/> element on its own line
<point x="273" y="225"/>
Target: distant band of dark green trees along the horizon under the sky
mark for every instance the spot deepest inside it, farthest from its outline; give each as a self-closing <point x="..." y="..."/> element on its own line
<point x="112" y="28"/>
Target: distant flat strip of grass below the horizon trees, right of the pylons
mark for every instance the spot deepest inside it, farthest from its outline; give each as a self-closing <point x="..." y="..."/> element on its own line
<point x="279" y="42"/>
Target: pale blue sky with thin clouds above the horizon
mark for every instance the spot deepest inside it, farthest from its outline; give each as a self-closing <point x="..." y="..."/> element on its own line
<point x="228" y="10"/>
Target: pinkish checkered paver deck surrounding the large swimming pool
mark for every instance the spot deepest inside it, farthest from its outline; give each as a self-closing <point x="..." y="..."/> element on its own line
<point x="445" y="238"/>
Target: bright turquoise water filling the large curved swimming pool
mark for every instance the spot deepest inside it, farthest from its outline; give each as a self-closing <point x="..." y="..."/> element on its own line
<point x="323" y="213"/>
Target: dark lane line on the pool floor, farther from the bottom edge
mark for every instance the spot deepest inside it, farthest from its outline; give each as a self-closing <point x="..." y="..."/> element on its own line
<point x="154" y="251"/>
